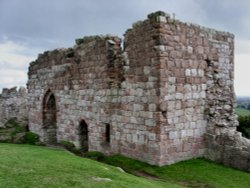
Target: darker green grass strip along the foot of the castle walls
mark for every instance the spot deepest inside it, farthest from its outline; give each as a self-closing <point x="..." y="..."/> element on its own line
<point x="191" y="173"/>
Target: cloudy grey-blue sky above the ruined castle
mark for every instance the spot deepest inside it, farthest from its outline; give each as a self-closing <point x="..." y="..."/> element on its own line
<point x="29" y="27"/>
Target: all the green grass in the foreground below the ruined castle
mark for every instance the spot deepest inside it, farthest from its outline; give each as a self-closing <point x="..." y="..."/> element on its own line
<point x="40" y="167"/>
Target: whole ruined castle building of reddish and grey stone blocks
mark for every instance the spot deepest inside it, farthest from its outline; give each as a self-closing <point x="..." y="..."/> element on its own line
<point x="167" y="95"/>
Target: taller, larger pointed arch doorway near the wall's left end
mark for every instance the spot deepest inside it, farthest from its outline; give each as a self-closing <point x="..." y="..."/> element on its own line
<point x="49" y="118"/>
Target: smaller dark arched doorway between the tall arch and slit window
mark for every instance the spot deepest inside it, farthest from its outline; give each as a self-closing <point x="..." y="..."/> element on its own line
<point x="83" y="136"/>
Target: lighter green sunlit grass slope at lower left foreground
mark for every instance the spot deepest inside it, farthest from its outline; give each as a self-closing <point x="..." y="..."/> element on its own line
<point x="40" y="167"/>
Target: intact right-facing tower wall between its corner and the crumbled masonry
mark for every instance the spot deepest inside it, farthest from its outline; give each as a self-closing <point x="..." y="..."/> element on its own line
<point x="182" y="52"/>
